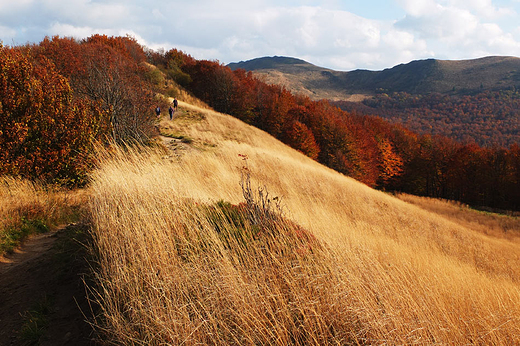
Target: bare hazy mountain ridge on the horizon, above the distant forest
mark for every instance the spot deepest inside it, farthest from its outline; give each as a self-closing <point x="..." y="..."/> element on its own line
<point x="416" y="77"/>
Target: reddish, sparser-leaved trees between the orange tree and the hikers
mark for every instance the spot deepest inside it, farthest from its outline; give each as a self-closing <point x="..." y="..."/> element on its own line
<point x="107" y="70"/>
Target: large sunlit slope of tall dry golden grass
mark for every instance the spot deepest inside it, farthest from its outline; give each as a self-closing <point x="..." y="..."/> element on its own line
<point x="386" y="272"/>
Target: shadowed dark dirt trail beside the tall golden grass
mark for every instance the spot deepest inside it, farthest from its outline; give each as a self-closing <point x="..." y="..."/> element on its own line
<point x="44" y="275"/>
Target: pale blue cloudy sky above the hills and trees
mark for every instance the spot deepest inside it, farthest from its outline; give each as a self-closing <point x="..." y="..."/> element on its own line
<point x="337" y="34"/>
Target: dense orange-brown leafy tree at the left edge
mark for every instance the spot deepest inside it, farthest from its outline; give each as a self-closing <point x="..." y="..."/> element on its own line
<point x="44" y="132"/>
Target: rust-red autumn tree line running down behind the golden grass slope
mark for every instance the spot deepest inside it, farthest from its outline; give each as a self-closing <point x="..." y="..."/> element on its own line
<point x="380" y="154"/>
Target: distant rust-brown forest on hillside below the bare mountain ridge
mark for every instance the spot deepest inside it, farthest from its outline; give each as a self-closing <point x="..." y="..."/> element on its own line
<point x="490" y="118"/>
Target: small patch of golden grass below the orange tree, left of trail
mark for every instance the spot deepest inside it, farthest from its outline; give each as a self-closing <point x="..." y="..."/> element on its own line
<point x="27" y="207"/>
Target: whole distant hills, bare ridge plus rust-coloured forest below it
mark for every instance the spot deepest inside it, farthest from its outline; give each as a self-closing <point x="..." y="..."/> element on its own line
<point x="465" y="100"/>
